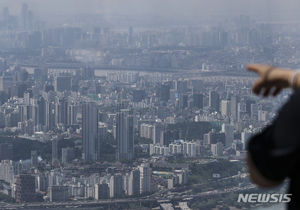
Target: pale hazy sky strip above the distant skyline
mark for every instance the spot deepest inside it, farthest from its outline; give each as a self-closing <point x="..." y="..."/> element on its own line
<point x="266" y="8"/>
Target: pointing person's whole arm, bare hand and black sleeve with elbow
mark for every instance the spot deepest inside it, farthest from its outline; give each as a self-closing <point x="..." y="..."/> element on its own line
<point x="272" y="154"/>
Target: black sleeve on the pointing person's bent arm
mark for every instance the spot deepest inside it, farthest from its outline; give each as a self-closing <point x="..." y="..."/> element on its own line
<point x="275" y="150"/>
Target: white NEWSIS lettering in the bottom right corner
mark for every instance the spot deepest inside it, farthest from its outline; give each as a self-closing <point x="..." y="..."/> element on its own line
<point x="264" y="198"/>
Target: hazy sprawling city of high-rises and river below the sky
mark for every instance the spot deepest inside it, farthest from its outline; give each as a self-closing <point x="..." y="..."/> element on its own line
<point x="136" y="111"/>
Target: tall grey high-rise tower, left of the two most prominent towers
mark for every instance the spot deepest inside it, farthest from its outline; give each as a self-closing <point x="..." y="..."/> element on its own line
<point x="90" y="138"/>
